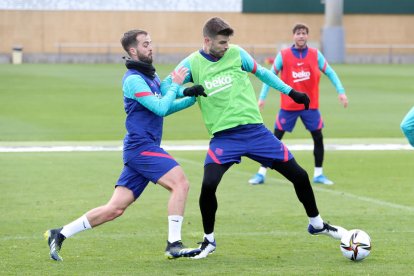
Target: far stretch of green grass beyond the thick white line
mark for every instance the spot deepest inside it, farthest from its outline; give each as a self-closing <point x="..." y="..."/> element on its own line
<point x="84" y="102"/>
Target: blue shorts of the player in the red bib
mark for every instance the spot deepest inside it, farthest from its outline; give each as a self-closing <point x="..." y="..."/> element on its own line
<point x="311" y="118"/>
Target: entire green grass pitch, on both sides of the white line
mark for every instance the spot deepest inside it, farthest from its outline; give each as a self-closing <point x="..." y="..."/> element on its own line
<point x="260" y="230"/>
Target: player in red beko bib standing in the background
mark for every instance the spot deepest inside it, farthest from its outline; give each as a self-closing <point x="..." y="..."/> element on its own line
<point x="300" y="67"/>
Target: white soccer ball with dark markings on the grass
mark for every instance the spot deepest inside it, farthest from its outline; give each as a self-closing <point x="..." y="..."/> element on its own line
<point x="355" y="245"/>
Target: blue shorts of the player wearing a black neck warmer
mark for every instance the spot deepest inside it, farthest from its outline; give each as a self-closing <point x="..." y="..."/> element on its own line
<point x="145" y="166"/>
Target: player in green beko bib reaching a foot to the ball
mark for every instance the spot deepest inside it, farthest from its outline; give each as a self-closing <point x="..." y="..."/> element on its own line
<point x="235" y="125"/>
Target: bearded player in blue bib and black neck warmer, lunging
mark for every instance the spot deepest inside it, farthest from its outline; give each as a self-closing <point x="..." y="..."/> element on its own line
<point x="146" y="102"/>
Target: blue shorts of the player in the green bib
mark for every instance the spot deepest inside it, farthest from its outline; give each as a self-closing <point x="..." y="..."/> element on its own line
<point x="254" y="141"/>
